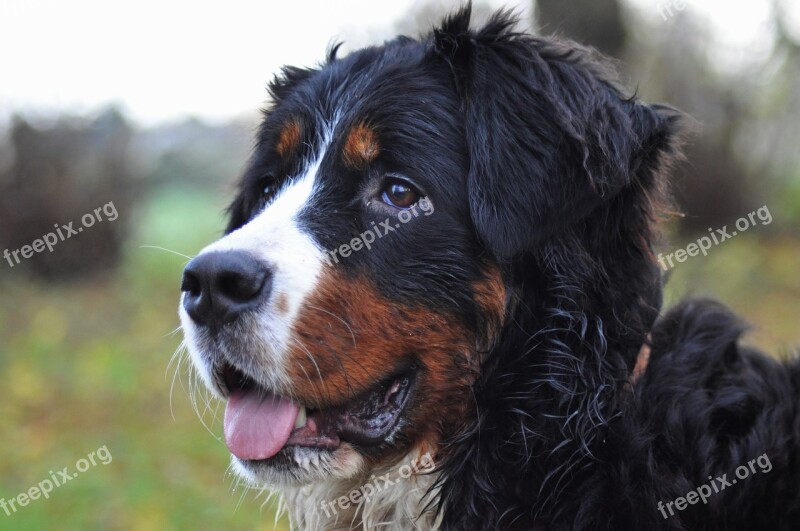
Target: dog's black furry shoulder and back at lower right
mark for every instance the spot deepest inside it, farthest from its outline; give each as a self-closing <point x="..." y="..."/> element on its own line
<point x="706" y="406"/>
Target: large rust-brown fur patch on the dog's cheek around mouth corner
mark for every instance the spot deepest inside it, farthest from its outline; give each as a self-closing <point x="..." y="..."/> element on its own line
<point x="359" y="338"/>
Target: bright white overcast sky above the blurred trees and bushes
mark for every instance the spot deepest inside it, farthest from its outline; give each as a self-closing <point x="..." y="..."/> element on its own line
<point x="167" y="59"/>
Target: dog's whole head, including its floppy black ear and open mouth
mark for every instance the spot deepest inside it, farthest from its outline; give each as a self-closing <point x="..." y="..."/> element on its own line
<point x="411" y="212"/>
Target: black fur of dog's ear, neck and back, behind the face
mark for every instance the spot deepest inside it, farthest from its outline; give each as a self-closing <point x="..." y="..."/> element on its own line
<point x="558" y="443"/>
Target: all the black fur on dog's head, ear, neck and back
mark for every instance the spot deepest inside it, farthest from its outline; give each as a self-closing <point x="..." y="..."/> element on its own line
<point x="540" y="165"/>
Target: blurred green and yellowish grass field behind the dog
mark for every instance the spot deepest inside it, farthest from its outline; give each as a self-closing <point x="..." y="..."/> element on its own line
<point x="84" y="366"/>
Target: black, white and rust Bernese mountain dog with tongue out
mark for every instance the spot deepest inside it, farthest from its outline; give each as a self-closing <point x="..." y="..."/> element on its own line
<point x="437" y="305"/>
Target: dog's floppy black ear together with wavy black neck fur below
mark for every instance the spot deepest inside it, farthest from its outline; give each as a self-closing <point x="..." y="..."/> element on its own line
<point x="577" y="257"/>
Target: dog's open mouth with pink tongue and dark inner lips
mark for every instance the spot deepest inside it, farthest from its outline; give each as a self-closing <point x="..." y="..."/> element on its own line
<point x="259" y="424"/>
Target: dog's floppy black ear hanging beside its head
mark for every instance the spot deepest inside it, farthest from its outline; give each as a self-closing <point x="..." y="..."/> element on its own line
<point x="550" y="137"/>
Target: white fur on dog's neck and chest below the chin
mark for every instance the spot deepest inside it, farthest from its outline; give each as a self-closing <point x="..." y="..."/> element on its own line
<point x="390" y="499"/>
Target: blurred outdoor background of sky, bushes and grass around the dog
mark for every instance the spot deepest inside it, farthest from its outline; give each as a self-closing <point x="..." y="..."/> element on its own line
<point x="151" y="107"/>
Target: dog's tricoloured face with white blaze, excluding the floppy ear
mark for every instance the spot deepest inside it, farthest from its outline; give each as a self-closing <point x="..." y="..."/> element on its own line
<point x="342" y="314"/>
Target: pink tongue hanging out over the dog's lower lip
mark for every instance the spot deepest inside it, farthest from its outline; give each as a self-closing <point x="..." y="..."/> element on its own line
<point x="258" y="426"/>
